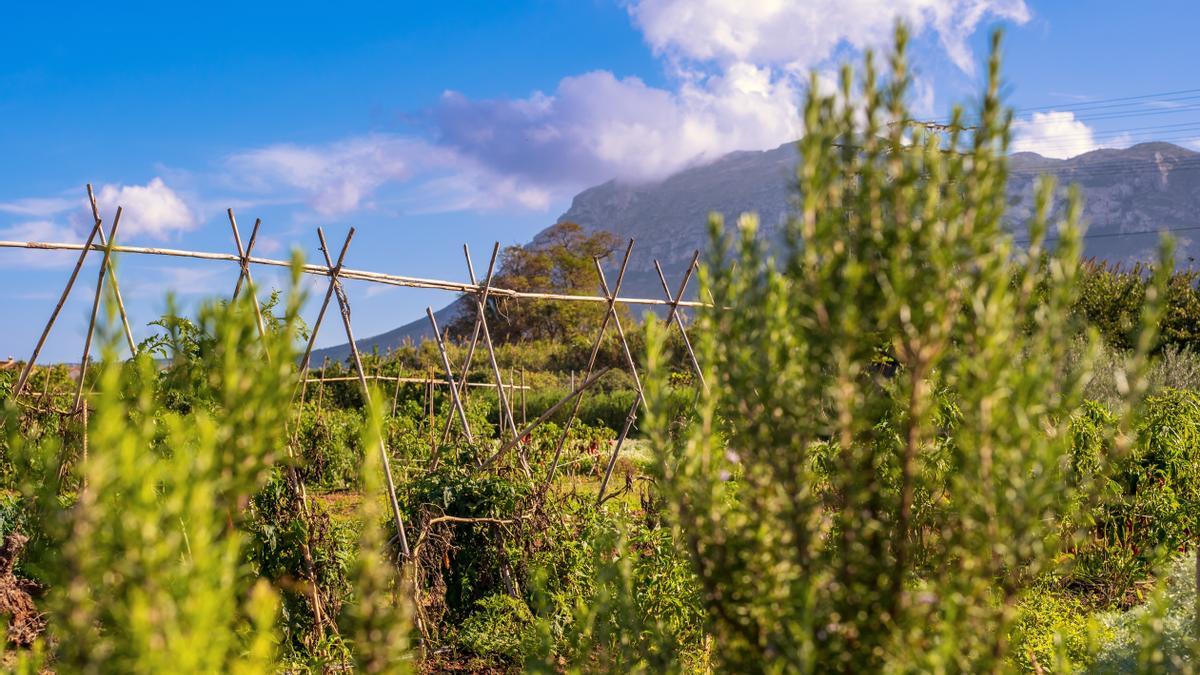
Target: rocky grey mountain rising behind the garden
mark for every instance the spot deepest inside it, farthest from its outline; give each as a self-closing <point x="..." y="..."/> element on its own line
<point x="1127" y="194"/>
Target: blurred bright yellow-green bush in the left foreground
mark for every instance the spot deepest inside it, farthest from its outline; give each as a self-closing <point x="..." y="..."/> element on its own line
<point x="153" y="574"/>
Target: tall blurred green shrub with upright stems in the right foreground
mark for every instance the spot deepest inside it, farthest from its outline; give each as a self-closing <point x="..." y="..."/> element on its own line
<point x="875" y="477"/>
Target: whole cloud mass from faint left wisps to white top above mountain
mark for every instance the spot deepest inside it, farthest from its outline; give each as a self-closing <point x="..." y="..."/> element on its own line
<point x="737" y="73"/>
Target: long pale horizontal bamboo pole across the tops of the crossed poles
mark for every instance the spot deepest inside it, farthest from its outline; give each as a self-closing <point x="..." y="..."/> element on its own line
<point x="362" y="276"/>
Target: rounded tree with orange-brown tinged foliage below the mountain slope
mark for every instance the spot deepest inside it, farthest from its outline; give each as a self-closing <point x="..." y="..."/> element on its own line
<point x="559" y="262"/>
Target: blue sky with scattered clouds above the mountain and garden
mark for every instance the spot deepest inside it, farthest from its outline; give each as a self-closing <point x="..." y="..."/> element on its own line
<point x="433" y="126"/>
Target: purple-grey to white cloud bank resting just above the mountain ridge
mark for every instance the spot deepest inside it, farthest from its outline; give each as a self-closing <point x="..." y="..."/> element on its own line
<point x="598" y="127"/>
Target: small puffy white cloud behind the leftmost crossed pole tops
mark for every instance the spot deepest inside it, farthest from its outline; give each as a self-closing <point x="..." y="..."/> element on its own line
<point x="153" y="210"/>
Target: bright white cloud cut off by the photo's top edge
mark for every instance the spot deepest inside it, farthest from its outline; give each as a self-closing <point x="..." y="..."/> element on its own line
<point x="801" y="35"/>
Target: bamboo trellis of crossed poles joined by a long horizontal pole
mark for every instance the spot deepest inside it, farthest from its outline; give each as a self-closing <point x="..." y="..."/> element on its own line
<point x="337" y="273"/>
